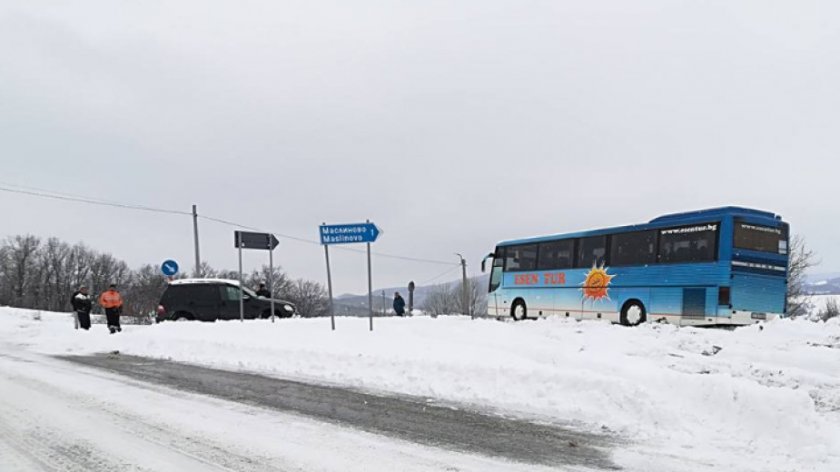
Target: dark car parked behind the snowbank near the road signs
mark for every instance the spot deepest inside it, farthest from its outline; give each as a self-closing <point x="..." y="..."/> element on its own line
<point x="215" y="299"/>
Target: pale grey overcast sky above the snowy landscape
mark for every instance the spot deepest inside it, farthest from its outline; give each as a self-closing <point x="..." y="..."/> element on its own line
<point x="450" y="124"/>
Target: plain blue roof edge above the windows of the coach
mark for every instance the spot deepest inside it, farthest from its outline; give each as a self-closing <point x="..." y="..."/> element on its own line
<point x="674" y="219"/>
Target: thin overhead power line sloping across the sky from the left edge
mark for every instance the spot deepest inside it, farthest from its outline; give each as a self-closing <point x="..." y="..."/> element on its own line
<point x="43" y="193"/>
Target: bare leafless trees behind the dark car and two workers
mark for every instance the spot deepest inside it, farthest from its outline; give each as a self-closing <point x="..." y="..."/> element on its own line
<point x="42" y="274"/>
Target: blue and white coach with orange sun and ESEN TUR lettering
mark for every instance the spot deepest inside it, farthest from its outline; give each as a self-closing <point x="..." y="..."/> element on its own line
<point x="722" y="266"/>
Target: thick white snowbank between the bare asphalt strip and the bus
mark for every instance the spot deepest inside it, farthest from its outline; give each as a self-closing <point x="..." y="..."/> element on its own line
<point x="758" y="398"/>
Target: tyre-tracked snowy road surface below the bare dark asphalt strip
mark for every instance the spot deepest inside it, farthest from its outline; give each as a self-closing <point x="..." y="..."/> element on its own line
<point x="55" y="418"/>
